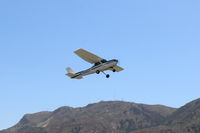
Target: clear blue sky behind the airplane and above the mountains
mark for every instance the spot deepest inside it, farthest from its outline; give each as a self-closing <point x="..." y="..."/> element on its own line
<point x="157" y="42"/>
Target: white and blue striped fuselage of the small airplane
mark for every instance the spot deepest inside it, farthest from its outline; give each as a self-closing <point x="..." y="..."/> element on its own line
<point x="99" y="67"/>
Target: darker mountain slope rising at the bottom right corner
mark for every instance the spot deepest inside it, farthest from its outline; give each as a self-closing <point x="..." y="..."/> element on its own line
<point x="186" y="119"/>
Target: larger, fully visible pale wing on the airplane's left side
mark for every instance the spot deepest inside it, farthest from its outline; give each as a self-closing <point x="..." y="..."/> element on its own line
<point x="87" y="56"/>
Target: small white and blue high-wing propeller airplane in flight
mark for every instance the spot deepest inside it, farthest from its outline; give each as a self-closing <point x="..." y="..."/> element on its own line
<point x="100" y="65"/>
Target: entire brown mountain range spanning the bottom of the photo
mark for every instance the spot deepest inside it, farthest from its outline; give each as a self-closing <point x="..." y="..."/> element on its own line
<point x="113" y="117"/>
